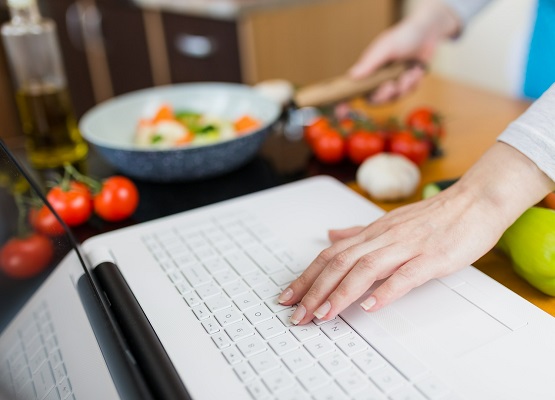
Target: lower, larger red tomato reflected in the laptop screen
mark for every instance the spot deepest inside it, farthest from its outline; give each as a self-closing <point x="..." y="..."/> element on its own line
<point x="26" y="257"/>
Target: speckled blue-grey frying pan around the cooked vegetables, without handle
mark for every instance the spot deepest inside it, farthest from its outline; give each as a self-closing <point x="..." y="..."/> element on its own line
<point x="110" y="127"/>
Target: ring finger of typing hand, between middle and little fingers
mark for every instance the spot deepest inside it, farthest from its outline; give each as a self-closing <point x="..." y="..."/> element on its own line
<point x="370" y="268"/>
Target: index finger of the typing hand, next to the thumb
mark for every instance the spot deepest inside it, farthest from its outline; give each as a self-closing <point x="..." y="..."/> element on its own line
<point x="296" y="289"/>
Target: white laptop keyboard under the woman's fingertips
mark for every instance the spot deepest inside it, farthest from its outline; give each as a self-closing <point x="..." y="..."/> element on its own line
<point x="230" y="272"/>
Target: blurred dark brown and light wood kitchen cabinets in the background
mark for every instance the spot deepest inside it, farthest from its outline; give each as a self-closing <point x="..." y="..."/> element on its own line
<point x="112" y="47"/>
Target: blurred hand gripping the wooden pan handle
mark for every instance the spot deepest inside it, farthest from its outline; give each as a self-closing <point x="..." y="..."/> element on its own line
<point x="414" y="38"/>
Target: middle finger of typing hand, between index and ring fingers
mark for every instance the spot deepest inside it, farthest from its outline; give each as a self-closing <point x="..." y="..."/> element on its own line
<point x="331" y="276"/>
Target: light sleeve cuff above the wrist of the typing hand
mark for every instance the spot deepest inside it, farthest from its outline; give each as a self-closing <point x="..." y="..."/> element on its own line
<point x="533" y="133"/>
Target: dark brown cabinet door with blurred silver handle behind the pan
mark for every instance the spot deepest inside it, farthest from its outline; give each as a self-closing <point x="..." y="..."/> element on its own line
<point x="201" y="49"/>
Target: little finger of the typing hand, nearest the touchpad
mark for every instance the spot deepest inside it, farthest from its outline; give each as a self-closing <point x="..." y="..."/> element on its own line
<point x="410" y="275"/>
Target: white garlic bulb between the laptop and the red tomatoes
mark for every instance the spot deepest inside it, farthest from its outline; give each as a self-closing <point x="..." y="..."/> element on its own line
<point x="388" y="177"/>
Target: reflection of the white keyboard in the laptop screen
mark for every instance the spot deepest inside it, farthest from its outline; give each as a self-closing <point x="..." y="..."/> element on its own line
<point x="33" y="367"/>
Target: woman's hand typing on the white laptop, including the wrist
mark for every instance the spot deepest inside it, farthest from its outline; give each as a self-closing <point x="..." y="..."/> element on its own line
<point x="421" y="241"/>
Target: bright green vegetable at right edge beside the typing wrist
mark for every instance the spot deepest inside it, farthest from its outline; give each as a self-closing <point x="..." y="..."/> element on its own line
<point x="530" y="242"/>
